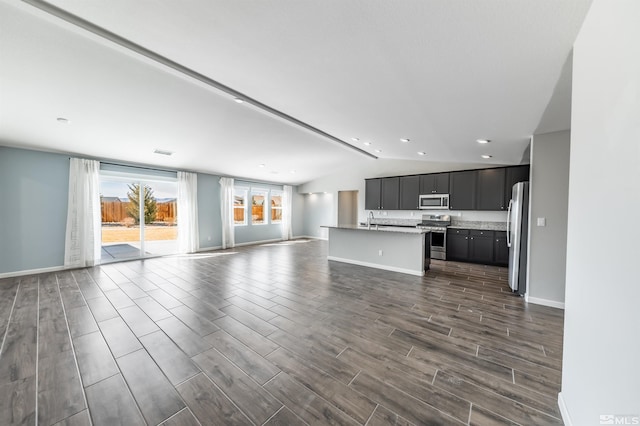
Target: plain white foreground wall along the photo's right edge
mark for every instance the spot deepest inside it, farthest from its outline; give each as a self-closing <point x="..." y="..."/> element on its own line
<point x="601" y="364"/>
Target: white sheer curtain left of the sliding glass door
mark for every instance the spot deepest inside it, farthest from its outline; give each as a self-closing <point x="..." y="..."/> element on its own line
<point x="83" y="234"/>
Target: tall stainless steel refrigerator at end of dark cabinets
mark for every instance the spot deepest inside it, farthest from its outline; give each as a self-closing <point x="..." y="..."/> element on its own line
<point x="517" y="236"/>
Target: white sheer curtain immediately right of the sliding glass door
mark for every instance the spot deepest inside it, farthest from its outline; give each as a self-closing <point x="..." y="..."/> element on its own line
<point x="188" y="236"/>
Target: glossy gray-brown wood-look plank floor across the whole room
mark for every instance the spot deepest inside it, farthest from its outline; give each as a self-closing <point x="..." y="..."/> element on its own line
<point x="275" y="335"/>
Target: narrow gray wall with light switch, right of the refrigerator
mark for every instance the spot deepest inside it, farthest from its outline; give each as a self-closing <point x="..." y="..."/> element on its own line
<point x="549" y="193"/>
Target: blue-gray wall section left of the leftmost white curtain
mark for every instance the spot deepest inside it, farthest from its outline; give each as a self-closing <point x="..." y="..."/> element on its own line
<point x="34" y="188"/>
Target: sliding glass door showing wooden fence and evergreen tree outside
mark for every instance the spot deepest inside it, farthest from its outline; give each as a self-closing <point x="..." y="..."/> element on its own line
<point x="138" y="218"/>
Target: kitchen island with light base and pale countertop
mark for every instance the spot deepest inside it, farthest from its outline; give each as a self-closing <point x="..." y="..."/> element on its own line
<point x="391" y="248"/>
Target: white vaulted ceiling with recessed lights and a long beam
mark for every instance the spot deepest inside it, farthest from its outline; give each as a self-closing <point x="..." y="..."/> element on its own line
<point x="442" y="73"/>
